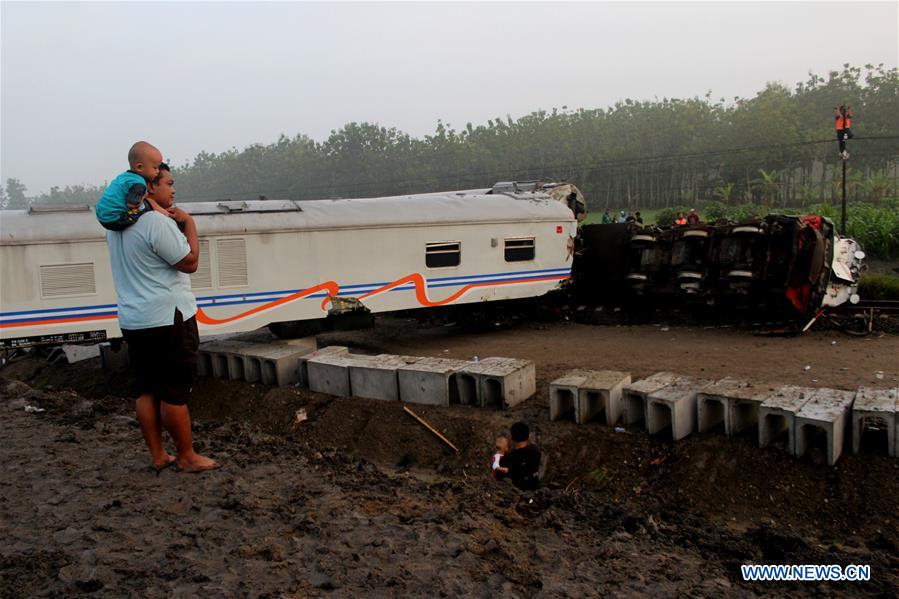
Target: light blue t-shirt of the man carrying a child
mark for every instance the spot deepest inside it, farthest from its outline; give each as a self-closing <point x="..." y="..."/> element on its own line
<point x="148" y="285"/>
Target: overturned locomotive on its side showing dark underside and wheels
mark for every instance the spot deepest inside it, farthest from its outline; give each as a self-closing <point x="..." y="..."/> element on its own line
<point x="790" y="266"/>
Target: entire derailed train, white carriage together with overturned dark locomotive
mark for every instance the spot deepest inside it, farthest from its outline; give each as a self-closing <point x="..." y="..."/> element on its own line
<point x="278" y="263"/>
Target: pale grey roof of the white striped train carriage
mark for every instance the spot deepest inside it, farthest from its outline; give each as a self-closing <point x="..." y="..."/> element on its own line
<point x="56" y="224"/>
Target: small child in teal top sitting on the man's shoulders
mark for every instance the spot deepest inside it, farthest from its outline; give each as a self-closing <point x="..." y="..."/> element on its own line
<point x="123" y="201"/>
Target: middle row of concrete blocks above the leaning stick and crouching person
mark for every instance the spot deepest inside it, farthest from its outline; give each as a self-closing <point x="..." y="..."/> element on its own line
<point x="492" y="382"/>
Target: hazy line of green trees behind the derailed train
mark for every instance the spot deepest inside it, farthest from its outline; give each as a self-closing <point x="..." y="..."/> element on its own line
<point x="777" y="148"/>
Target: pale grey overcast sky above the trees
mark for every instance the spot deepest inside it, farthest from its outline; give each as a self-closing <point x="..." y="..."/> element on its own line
<point x="82" y="81"/>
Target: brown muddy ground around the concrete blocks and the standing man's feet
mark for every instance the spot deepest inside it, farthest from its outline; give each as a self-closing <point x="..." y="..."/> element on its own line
<point x="360" y="500"/>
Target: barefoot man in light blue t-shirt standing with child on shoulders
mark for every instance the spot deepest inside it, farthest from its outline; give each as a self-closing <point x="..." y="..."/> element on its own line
<point x="150" y="262"/>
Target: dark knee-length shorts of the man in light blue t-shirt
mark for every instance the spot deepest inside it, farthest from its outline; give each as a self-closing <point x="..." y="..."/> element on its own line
<point x="163" y="359"/>
